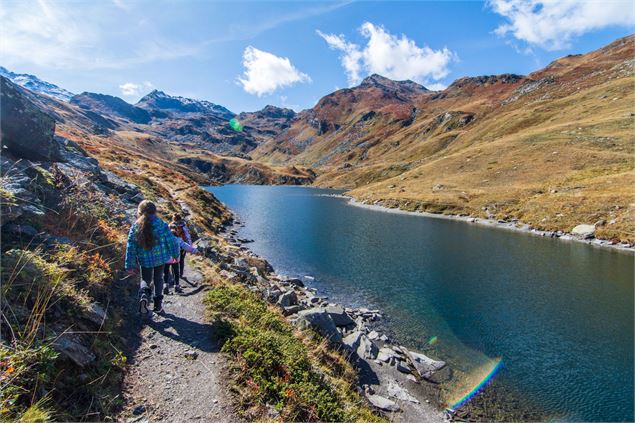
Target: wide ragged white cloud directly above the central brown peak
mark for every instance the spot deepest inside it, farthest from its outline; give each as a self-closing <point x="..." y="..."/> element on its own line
<point x="392" y="56"/>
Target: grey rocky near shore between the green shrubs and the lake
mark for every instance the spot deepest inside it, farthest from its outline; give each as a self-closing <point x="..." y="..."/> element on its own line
<point x="398" y="381"/>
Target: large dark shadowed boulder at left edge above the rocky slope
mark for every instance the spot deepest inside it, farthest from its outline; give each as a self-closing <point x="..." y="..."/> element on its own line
<point x="25" y="131"/>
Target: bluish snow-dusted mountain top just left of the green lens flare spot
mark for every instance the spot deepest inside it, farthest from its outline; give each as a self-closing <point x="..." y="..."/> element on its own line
<point x="158" y="100"/>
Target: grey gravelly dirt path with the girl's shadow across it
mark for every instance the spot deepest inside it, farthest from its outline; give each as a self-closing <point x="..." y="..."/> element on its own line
<point x="176" y="373"/>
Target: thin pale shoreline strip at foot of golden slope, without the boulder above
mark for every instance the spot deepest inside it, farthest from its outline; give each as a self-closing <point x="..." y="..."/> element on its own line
<point x="517" y="226"/>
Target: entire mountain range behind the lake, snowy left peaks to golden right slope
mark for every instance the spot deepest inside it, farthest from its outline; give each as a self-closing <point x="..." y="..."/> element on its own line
<point x="552" y="148"/>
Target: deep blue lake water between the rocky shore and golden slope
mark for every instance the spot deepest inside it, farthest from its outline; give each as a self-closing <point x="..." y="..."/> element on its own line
<point x="559" y="314"/>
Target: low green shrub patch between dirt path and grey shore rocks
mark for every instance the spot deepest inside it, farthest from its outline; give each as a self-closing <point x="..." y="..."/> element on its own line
<point x="279" y="367"/>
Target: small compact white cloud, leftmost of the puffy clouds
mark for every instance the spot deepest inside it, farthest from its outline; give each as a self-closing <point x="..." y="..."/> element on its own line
<point x="265" y="72"/>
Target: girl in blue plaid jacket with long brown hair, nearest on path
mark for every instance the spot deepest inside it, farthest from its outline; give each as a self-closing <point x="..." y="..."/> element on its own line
<point x="150" y="246"/>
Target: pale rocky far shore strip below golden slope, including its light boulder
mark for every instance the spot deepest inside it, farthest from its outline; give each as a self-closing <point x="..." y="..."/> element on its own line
<point x="581" y="233"/>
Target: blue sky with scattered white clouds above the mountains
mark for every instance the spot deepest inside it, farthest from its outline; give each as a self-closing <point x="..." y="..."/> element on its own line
<point x="247" y="54"/>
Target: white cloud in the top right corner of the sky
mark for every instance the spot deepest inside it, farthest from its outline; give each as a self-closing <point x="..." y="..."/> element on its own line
<point x="552" y="24"/>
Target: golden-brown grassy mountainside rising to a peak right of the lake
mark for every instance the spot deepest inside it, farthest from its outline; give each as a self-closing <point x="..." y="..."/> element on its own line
<point x="553" y="149"/>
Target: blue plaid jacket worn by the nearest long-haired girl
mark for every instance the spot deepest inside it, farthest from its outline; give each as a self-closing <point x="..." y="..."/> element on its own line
<point x="165" y="247"/>
